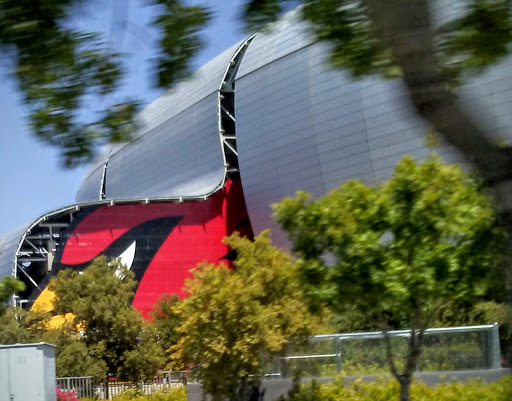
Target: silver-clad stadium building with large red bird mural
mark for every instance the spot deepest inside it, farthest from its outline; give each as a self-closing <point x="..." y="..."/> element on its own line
<point x="260" y="121"/>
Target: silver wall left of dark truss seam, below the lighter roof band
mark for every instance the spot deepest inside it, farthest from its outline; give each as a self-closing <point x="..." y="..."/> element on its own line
<point x="181" y="157"/>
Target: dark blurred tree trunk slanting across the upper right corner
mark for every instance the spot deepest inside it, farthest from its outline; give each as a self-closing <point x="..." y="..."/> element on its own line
<point x="406" y="28"/>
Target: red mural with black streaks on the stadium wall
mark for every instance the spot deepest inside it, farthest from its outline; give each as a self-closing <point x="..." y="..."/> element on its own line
<point x="166" y="239"/>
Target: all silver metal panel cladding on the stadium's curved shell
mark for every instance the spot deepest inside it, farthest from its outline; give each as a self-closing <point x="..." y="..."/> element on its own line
<point x="299" y="126"/>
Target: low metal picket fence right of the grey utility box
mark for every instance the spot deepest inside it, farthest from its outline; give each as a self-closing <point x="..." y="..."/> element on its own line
<point x="106" y="389"/>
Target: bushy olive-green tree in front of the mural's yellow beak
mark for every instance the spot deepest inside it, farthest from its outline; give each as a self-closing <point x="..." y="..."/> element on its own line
<point x="114" y="333"/>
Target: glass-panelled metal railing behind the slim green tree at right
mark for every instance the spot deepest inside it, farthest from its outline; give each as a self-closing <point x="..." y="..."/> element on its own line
<point x="444" y="349"/>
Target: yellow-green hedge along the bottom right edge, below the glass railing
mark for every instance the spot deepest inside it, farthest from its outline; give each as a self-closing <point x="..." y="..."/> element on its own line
<point x="475" y="390"/>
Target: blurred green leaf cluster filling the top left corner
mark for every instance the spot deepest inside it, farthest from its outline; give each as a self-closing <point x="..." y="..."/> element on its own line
<point x="57" y="69"/>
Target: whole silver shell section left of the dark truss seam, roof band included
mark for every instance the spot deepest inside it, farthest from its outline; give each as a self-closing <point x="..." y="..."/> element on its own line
<point x="169" y="131"/>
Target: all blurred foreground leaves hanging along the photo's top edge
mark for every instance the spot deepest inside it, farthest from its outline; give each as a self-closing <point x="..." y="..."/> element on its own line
<point x="63" y="72"/>
